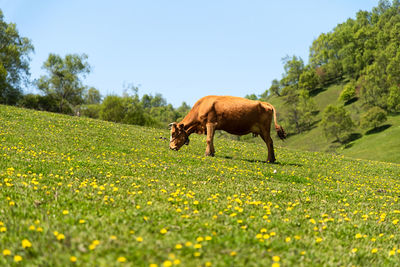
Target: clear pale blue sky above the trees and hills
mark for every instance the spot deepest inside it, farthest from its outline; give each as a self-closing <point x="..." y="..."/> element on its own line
<point x="181" y="49"/>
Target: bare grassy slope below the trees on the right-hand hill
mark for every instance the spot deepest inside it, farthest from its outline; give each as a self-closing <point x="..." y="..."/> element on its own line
<point x="381" y="145"/>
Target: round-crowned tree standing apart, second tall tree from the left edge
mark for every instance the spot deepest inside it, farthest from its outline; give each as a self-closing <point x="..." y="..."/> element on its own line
<point x="64" y="78"/>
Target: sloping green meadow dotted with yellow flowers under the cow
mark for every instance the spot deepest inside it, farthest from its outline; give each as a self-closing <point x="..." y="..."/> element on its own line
<point x="76" y="191"/>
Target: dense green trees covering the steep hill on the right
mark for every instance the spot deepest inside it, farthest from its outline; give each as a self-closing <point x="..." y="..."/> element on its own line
<point x="362" y="53"/>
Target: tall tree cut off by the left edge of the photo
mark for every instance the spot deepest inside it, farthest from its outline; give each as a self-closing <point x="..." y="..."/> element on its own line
<point x="14" y="62"/>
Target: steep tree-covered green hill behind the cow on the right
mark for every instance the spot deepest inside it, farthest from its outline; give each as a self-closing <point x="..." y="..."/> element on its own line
<point x="357" y="60"/>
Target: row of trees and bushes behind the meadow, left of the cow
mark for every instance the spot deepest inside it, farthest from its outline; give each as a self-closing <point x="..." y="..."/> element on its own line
<point x="63" y="90"/>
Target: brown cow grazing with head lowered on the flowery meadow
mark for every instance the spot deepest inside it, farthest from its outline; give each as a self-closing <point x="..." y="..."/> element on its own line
<point x="234" y="115"/>
